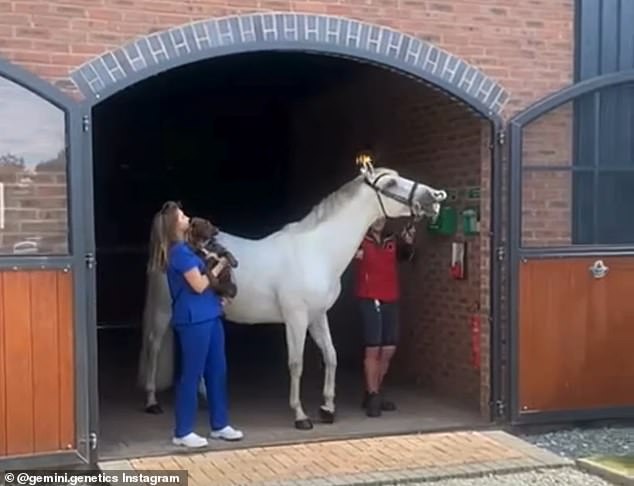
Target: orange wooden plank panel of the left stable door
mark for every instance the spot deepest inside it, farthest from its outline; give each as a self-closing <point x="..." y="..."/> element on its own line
<point x="36" y="329"/>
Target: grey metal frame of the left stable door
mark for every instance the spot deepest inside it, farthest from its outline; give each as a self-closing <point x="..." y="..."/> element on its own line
<point x="74" y="261"/>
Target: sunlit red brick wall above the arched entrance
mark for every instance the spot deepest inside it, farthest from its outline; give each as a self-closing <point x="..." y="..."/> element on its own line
<point x="525" y="46"/>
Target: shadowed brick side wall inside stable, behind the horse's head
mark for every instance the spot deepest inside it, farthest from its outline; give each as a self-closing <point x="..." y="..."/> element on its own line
<point x="427" y="137"/>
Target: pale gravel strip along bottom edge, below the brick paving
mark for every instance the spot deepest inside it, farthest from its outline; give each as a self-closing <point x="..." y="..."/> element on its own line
<point x="545" y="477"/>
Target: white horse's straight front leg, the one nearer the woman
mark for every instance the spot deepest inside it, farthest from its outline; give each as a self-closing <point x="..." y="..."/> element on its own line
<point x="296" y="325"/>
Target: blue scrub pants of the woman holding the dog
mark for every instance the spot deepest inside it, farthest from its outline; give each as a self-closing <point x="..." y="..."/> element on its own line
<point x="202" y="350"/>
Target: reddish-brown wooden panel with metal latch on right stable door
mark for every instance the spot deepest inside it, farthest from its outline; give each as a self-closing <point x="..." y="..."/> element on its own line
<point x="575" y="334"/>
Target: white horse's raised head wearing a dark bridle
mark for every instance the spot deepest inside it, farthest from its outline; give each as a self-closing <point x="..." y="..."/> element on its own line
<point x="398" y="196"/>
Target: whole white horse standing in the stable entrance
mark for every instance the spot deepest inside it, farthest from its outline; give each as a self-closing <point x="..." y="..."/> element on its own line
<point x="292" y="276"/>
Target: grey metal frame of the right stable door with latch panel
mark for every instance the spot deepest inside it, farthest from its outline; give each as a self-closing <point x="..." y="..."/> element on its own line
<point x="517" y="253"/>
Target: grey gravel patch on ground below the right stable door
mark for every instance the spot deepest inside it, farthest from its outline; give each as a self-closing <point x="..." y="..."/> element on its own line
<point x="584" y="442"/>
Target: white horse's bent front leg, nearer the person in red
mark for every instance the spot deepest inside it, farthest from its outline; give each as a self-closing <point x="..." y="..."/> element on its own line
<point x="320" y="332"/>
